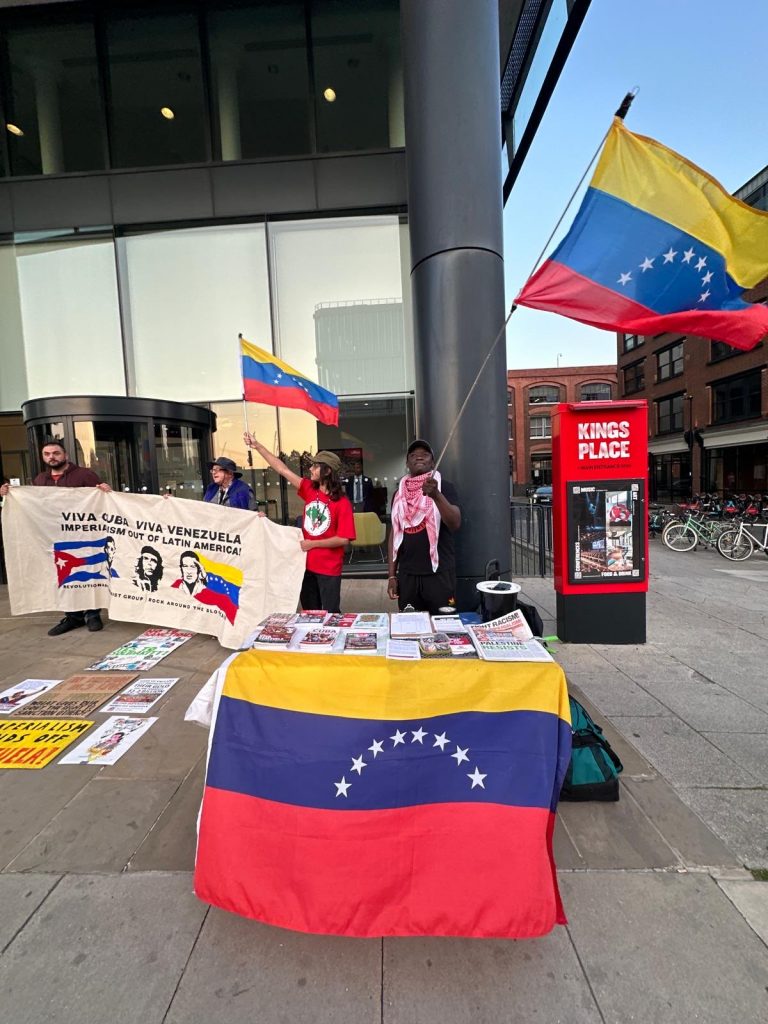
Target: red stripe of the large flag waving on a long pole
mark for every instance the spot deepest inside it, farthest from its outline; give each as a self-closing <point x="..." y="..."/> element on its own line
<point x="558" y="289"/>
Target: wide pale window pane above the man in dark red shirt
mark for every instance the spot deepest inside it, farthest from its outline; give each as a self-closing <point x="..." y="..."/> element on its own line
<point x="70" y="317"/>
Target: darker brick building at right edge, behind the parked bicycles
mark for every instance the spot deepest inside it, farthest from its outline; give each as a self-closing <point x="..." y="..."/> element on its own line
<point x="708" y="403"/>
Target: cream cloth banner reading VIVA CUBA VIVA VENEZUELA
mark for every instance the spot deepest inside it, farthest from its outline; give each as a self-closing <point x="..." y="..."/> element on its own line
<point x="187" y="565"/>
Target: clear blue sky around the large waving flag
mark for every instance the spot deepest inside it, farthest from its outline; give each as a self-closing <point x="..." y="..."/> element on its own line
<point x="699" y="66"/>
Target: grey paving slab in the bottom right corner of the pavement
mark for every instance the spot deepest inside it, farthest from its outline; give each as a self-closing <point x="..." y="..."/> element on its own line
<point x="667" y="949"/>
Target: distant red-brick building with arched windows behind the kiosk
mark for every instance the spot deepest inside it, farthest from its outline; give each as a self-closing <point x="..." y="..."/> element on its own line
<point x="532" y="395"/>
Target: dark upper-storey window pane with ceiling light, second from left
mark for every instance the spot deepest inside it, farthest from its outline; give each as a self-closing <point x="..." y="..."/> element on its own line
<point x="155" y="67"/>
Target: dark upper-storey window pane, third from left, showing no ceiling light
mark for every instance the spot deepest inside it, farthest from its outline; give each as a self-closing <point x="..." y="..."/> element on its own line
<point x="261" y="80"/>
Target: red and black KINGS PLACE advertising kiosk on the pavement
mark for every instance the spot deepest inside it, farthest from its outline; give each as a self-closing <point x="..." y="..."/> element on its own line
<point x="601" y="477"/>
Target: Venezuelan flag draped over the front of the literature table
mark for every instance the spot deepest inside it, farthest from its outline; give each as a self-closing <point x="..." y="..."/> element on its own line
<point x="364" y="797"/>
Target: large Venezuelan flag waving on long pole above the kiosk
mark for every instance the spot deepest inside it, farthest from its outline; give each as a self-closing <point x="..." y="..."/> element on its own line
<point x="658" y="245"/>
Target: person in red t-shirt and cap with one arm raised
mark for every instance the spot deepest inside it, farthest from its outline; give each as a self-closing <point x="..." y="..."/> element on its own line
<point x="328" y="525"/>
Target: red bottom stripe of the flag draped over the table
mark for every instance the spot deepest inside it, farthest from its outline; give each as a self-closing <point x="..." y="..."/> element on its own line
<point x="467" y="870"/>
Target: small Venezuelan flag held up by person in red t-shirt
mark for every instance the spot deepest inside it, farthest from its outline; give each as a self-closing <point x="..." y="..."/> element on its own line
<point x="272" y="382"/>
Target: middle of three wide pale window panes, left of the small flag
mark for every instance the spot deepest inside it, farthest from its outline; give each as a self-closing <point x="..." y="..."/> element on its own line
<point x="200" y="288"/>
